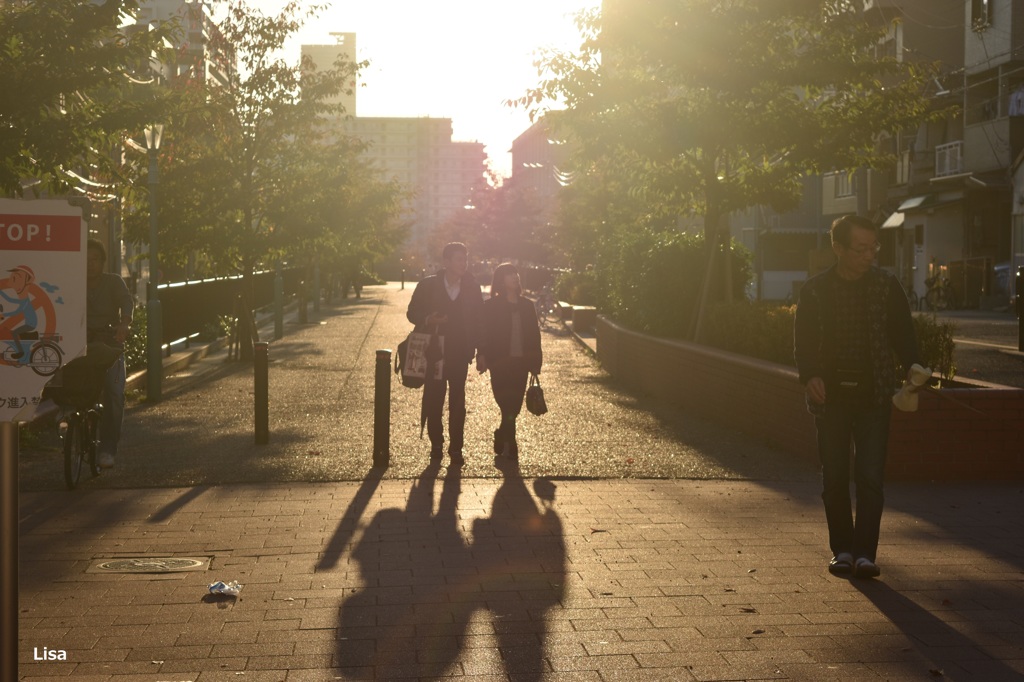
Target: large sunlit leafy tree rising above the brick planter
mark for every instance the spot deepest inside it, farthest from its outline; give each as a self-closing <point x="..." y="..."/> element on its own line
<point x="708" y="107"/>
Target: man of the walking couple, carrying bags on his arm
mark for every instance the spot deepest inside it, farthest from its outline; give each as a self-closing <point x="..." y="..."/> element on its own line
<point x="449" y="304"/>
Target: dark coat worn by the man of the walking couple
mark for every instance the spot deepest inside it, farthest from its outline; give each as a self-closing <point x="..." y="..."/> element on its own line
<point x="462" y="335"/>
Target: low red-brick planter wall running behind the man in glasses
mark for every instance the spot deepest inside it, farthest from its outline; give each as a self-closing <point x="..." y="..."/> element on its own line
<point x="942" y="441"/>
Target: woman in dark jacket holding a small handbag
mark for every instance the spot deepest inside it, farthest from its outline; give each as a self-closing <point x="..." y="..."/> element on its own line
<point x="510" y="350"/>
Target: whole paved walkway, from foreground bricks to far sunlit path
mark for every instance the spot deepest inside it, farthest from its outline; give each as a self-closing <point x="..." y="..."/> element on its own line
<point x="416" y="574"/>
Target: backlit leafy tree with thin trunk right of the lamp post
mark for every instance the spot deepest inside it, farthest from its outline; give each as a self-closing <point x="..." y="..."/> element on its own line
<point x="246" y="161"/>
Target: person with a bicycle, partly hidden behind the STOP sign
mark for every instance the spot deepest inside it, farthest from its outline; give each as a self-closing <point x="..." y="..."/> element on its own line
<point x="109" y="318"/>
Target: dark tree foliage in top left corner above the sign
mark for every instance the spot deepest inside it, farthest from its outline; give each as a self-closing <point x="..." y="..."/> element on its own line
<point x="64" y="66"/>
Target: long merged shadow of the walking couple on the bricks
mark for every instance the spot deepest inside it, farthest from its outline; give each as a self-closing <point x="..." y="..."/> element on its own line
<point x="423" y="582"/>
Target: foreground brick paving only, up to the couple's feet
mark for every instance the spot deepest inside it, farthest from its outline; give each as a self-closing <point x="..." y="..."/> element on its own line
<point x="511" y="579"/>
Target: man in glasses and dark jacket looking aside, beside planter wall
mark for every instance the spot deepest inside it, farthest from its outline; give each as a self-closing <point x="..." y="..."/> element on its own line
<point x="850" y="321"/>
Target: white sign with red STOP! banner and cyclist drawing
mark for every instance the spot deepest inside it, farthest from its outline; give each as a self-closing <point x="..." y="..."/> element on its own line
<point x="42" y="299"/>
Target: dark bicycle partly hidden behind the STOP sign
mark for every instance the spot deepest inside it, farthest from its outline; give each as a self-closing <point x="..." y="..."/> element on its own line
<point x="77" y="391"/>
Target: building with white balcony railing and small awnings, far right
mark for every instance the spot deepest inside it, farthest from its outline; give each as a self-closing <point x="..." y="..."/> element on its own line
<point x="954" y="217"/>
